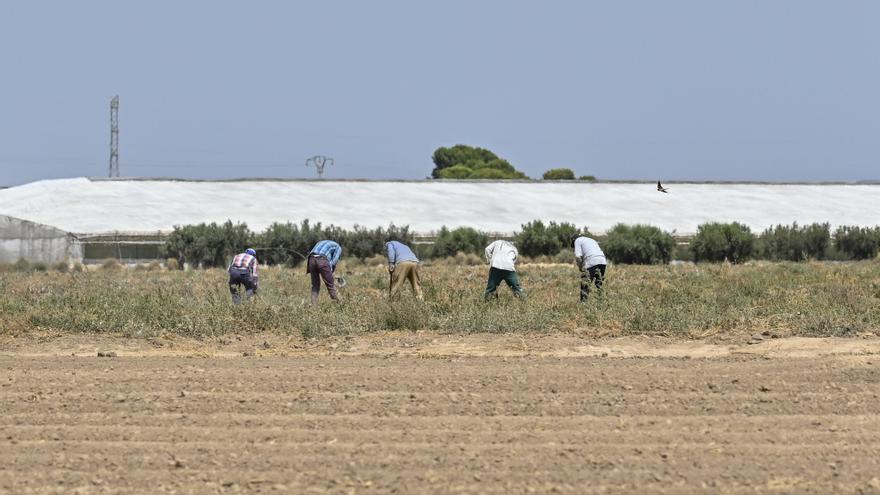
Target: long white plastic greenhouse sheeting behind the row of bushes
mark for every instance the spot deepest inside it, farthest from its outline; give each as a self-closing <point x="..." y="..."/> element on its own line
<point x="88" y="206"/>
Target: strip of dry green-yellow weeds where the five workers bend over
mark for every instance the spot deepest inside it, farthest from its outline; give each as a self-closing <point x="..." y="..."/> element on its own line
<point x="809" y="299"/>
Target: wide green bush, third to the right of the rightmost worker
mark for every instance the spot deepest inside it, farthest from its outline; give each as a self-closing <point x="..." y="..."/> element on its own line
<point x="794" y="243"/>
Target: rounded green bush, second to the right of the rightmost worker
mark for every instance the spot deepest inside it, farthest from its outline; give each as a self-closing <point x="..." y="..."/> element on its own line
<point x="714" y="241"/>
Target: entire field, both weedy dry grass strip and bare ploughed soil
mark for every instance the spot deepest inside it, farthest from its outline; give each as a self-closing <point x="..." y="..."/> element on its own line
<point x="190" y="396"/>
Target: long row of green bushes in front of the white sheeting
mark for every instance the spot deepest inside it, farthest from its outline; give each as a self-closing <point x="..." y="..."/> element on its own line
<point x="211" y="245"/>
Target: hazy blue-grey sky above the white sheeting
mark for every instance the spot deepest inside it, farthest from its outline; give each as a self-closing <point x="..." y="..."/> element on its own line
<point x="736" y="90"/>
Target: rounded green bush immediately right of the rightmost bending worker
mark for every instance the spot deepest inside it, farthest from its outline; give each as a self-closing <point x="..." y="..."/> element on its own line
<point x="638" y="244"/>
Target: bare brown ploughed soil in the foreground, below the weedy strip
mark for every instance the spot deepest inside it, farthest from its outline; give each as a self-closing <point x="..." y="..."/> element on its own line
<point x="415" y="413"/>
